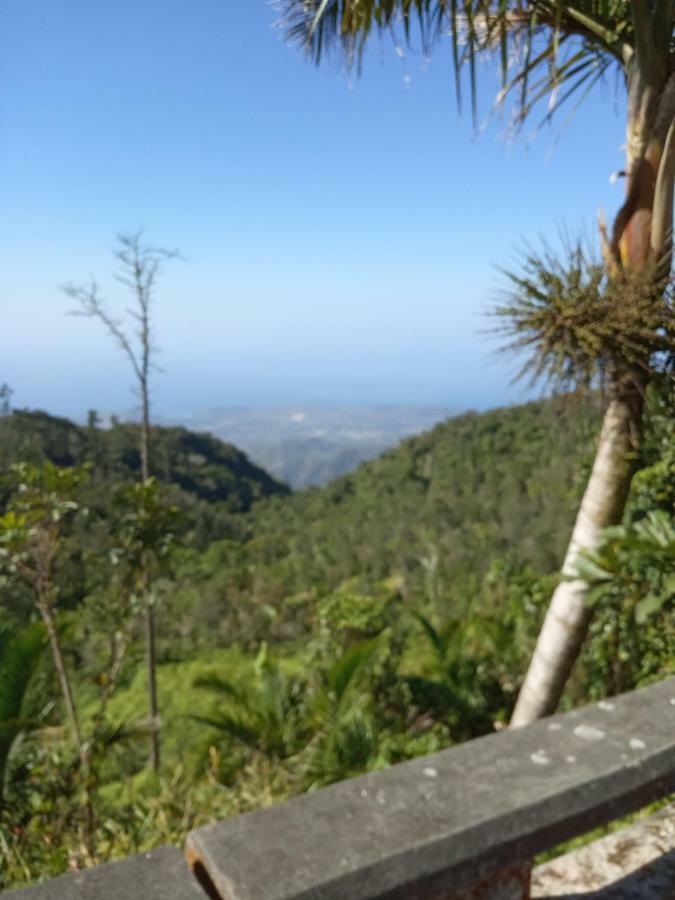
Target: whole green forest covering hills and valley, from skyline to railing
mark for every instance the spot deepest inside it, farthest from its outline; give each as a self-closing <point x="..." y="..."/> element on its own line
<point x="301" y="638"/>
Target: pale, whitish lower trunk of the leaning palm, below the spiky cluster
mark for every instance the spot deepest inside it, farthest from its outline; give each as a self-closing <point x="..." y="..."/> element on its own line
<point x="569" y="615"/>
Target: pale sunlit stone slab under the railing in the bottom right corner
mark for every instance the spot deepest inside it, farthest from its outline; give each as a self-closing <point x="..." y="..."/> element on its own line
<point x="636" y="863"/>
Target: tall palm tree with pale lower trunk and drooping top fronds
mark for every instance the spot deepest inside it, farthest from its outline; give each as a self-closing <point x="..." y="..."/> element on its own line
<point x="560" y="50"/>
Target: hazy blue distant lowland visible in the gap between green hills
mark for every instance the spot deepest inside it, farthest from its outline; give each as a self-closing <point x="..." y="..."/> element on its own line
<point x="310" y="445"/>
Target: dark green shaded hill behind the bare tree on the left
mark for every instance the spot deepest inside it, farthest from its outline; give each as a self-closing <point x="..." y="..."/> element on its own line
<point x="199" y="465"/>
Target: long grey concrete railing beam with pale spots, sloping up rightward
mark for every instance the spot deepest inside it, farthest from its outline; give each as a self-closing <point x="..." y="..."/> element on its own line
<point x="431" y="828"/>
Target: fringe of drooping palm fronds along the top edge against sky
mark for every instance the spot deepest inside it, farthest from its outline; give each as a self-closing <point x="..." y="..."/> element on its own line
<point x="533" y="41"/>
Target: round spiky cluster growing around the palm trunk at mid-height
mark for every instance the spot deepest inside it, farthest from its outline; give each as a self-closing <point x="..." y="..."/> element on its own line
<point x="581" y="327"/>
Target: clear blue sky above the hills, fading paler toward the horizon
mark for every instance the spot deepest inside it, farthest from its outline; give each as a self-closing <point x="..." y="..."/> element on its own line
<point x="340" y="236"/>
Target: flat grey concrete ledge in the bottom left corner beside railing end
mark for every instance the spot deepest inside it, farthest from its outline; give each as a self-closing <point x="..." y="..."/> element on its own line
<point x="159" y="875"/>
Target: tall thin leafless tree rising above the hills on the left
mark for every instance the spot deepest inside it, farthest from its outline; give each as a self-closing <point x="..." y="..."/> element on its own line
<point x="140" y="266"/>
